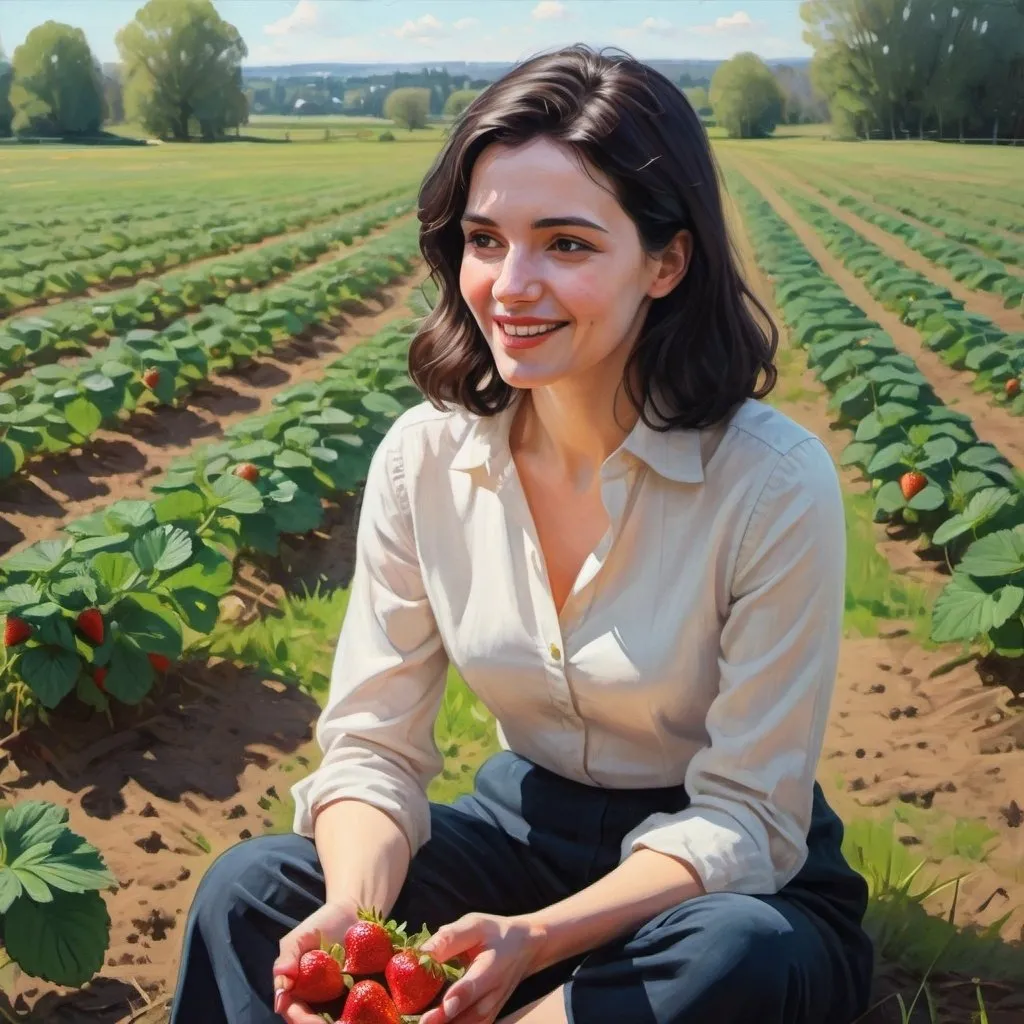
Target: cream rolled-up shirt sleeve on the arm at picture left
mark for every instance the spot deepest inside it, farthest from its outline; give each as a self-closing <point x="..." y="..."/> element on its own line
<point x="390" y="670"/>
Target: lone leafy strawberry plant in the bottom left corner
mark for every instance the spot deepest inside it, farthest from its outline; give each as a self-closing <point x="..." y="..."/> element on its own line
<point x="54" y="921"/>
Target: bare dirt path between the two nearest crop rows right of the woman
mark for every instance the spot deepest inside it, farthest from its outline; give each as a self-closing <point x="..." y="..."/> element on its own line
<point x="993" y="424"/>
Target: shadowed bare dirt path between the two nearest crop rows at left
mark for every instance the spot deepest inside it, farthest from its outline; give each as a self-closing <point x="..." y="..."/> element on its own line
<point x="122" y="462"/>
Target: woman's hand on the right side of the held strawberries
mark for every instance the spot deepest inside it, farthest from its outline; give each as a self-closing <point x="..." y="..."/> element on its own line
<point x="501" y="952"/>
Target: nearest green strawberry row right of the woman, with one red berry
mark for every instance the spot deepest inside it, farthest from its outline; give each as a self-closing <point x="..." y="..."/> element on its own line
<point x="926" y="465"/>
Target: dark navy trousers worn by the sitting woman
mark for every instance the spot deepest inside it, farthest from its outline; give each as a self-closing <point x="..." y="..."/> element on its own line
<point x="527" y="838"/>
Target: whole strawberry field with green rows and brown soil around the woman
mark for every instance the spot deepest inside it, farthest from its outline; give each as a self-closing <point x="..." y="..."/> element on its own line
<point x="201" y="347"/>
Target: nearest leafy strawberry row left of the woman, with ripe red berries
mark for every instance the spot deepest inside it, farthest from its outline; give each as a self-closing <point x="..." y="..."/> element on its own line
<point x="105" y="609"/>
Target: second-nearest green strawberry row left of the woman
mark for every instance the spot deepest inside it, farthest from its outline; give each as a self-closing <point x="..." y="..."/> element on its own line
<point x="62" y="406"/>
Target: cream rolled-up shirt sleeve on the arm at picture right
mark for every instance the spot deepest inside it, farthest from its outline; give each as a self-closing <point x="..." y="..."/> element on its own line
<point x="751" y="788"/>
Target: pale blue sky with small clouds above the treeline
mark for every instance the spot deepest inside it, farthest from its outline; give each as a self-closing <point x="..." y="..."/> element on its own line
<point x="279" y="32"/>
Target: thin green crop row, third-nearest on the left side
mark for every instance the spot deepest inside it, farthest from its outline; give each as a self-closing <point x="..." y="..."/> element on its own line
<point x="181" y="244"/>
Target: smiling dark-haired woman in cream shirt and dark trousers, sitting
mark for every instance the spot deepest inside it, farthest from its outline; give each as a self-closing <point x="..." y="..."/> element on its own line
<point x="636" y="566"/>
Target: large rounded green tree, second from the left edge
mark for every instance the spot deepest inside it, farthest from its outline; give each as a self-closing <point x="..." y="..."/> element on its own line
<point x="181" y="61"/>
